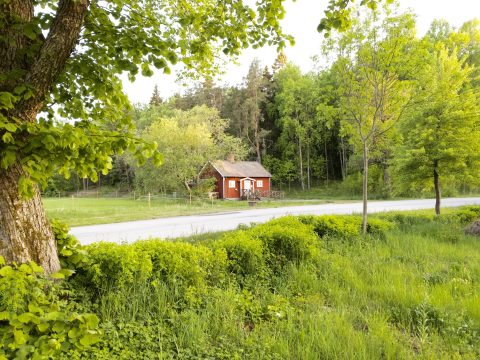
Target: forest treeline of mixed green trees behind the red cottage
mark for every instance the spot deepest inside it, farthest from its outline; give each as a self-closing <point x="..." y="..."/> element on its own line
<point x="386" y="110"/>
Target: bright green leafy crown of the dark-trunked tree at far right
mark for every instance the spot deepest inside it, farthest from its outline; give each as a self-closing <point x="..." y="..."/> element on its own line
<point x="440" y="132"/>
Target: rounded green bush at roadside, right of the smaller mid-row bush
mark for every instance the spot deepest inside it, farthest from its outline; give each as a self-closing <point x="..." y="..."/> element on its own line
<point x="286" y="240"/>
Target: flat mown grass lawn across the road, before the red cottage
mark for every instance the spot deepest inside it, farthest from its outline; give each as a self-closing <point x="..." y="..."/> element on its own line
<point x="90" y="211"/>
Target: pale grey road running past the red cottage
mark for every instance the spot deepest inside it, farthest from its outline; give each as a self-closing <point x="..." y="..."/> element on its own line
<point x="196" y="224"/>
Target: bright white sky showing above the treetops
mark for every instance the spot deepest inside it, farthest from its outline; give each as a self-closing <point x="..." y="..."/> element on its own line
<point x="301" y="20"/>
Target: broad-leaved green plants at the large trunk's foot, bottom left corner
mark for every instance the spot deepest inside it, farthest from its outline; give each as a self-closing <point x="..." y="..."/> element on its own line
<point x="36" y="319"/>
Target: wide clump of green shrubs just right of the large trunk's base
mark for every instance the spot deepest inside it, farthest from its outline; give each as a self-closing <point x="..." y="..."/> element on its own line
<point x="184" y="269"/>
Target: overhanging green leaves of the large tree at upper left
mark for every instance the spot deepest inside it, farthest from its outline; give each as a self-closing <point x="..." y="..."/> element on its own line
<point x="124" y="37"/>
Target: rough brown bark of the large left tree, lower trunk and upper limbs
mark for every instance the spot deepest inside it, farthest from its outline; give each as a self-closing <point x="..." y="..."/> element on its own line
<point x="25" y="234"/>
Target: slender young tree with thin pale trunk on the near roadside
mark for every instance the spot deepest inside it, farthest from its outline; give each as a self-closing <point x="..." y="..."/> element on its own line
<point x="373" y="66"/>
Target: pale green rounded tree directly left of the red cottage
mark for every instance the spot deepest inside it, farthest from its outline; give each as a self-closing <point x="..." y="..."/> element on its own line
<point x="187" y="141"/>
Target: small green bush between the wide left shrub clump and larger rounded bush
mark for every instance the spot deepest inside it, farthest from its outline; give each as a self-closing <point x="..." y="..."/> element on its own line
<point x="245" y="254"/>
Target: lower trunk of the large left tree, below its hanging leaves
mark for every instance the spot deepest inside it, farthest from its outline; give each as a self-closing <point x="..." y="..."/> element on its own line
<point x="25" y="233"/>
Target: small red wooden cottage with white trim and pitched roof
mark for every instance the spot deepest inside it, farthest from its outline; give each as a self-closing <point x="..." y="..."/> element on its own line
<point x="238" y="179"/>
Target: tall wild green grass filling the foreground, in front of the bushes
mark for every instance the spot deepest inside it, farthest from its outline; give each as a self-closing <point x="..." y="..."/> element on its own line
<point x="412" y="293"/>
